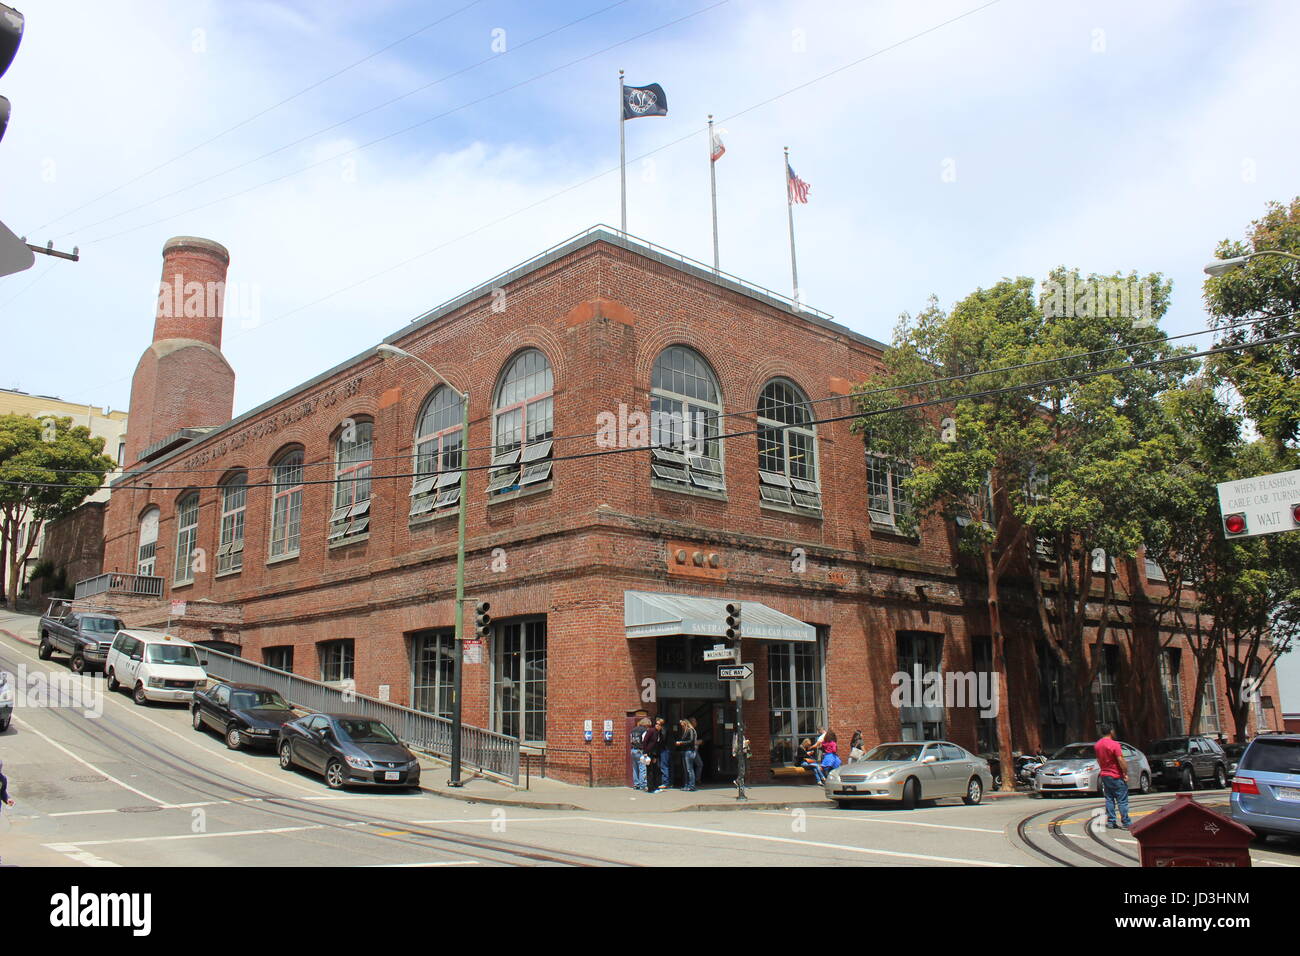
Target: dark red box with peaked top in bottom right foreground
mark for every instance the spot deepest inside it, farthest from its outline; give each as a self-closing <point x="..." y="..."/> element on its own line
<point x="1188" y="834"/>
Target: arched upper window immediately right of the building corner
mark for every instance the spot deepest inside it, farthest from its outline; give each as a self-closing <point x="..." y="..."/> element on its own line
<point x="686" y="412"/>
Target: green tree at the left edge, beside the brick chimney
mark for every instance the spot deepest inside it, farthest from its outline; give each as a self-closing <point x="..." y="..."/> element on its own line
<point x="33" y="455"/>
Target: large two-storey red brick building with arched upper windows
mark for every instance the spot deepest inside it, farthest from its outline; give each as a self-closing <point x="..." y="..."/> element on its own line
<point x="319" y="531"/>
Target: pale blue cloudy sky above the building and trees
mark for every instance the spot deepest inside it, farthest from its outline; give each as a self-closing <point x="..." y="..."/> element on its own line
<point x="1103" y="136"/>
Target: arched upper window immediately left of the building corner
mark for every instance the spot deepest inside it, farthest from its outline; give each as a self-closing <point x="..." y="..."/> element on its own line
<point x="523" y="425"/>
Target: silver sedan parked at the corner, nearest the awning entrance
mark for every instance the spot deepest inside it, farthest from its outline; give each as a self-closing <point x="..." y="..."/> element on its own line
<point x="909" y="772"/>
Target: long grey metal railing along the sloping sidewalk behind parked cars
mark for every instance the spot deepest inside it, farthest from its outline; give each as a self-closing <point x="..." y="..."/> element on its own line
<point x="487" y="751"/>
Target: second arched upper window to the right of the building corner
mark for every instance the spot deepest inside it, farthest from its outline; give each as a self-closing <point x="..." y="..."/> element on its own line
<point x="787" y="448"/>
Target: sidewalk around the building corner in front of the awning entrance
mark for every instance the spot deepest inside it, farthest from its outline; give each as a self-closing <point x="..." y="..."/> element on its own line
<point x="553" y="795"/>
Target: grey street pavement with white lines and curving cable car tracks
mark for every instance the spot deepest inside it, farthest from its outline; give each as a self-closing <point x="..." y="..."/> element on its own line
<point x="132" y="786"/>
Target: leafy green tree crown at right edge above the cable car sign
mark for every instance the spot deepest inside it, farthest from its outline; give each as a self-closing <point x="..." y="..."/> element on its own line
<point x="1268" y="378"/>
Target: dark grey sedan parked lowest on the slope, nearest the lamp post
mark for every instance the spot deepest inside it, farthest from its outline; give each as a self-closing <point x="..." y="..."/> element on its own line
<point x="349" y="751"/>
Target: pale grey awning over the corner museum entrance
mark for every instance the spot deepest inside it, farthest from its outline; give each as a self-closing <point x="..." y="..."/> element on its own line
<point x="658" y="616"/>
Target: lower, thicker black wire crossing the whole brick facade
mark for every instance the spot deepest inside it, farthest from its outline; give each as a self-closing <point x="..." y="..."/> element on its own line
<point x="135" y="481"/>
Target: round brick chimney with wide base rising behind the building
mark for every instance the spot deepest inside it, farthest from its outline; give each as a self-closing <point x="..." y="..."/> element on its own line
<point x="183" y="379"/>
